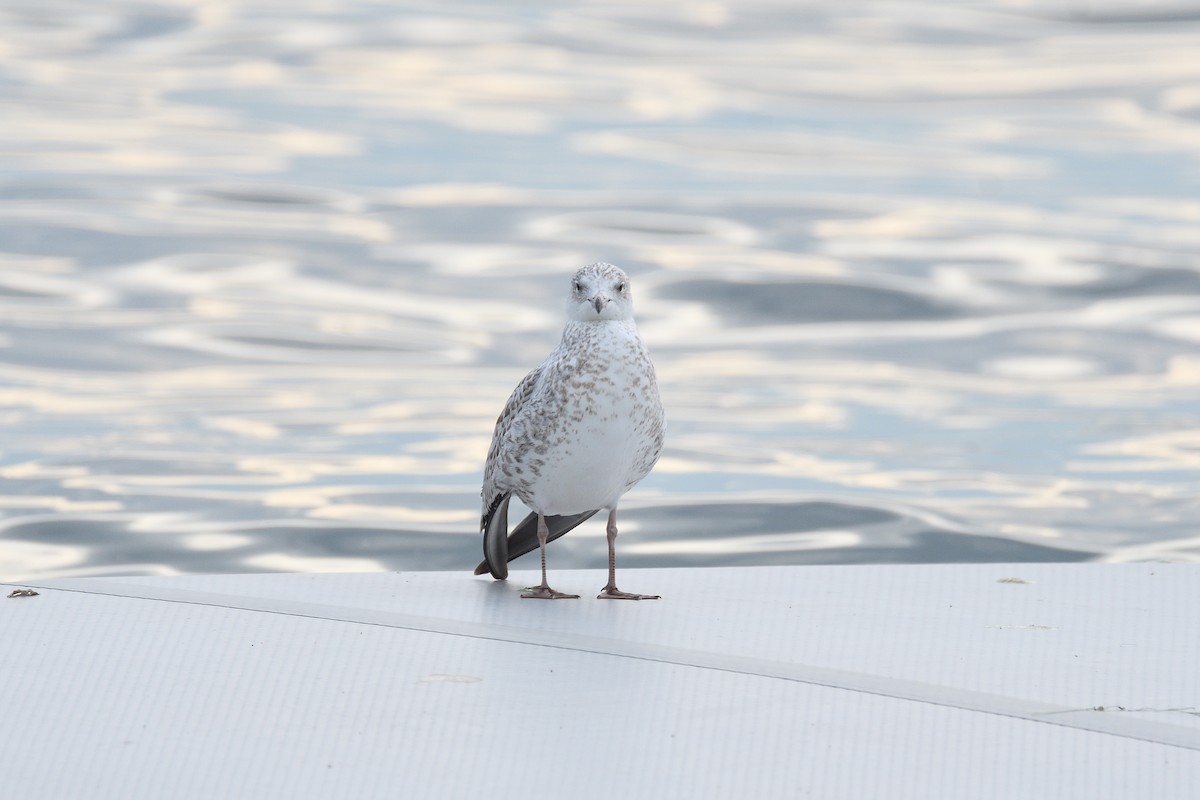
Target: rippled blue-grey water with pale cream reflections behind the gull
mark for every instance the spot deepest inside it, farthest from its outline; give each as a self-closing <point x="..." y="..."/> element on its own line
<point x="922" y="280"/>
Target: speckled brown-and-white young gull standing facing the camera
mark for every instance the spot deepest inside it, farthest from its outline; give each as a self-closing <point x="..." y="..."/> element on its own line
<point x="577" y="435"/>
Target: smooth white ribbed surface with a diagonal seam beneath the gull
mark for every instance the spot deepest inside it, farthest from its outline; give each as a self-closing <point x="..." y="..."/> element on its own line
<point x="914" y="682"/>
